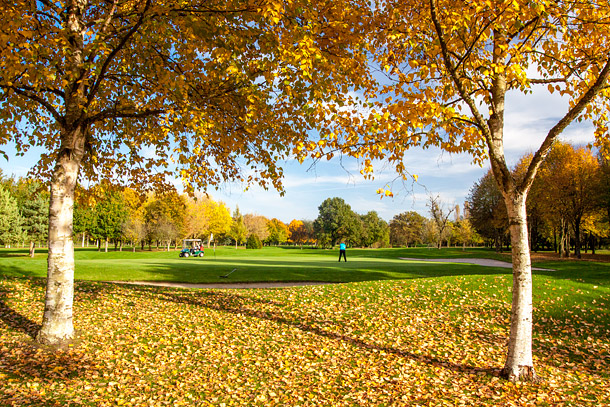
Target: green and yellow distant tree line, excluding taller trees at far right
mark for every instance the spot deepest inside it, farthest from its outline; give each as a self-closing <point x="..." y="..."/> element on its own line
<point x="105" y="215"/>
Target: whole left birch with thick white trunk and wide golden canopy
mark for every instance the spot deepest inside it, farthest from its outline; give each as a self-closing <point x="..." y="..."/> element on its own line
<point x="201" y="83"/>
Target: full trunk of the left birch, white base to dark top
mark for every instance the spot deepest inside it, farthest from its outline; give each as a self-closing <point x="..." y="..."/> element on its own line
<point x="57" y="326"/>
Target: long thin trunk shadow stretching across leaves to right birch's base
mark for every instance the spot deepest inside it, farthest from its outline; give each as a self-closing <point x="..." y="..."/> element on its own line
<point x="237" y="305"/>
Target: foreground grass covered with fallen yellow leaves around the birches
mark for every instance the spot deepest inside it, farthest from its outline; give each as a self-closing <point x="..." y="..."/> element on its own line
<point x="421" y="342"/>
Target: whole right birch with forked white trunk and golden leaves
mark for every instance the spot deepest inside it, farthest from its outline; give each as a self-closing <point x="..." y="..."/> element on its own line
<point x="449" y="67"/>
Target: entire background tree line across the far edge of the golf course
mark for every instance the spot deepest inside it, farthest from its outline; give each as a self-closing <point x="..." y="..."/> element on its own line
<point x="568" y="211"/>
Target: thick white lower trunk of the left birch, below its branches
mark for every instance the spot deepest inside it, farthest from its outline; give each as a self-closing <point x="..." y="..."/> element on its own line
<point x="57" y="327"/>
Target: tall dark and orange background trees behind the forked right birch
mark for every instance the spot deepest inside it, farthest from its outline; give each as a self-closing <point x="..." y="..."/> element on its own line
<point x="568" y="207"/>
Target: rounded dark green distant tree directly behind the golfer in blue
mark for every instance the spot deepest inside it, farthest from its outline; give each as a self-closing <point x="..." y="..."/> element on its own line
<point x="336" y="221"/>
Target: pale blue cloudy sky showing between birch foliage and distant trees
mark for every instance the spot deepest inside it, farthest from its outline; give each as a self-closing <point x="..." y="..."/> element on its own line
<point x="449" y="176"/>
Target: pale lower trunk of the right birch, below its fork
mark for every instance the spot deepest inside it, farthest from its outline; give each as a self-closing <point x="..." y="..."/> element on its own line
<point x="519" y="362"/>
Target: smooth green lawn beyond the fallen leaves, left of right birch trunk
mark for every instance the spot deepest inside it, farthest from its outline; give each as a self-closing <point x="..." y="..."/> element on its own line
<point x="268" y="264"/>
